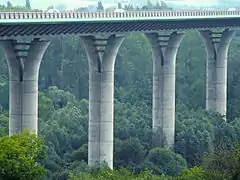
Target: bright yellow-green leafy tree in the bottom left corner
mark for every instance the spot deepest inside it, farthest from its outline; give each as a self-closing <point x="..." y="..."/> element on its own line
<point x="20" y="157"/>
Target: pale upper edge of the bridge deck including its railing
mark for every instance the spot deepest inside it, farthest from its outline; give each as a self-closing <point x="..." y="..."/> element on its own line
<point x="40" y="17"/>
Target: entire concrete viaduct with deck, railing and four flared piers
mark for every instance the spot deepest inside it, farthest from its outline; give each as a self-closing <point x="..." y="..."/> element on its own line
<point x="102" y="34"/>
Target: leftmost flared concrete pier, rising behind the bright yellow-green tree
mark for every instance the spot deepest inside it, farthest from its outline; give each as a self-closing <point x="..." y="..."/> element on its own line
<point x="23" y="63"/>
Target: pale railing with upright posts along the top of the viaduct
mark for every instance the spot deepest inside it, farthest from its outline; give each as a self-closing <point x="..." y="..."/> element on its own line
<point x="112" y="15"/>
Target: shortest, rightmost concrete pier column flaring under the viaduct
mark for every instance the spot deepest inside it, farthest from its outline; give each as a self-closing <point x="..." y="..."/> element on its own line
<point x="217" y="45"/>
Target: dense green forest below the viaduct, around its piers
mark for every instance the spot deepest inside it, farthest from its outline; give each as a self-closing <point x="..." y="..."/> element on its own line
<point x="206" y="147"/>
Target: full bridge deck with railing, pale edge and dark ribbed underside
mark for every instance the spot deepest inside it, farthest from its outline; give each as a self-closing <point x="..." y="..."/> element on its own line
<point x="13" y="24"/>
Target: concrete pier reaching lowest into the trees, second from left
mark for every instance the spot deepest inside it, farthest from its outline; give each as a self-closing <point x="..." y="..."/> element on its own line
<point x="101" y="55"/>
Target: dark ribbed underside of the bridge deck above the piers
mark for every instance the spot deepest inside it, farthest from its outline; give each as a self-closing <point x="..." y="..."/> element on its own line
<point x="90" y="28"/>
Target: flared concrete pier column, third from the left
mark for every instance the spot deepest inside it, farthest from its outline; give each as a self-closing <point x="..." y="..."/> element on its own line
<point x="164" y="51"/>
